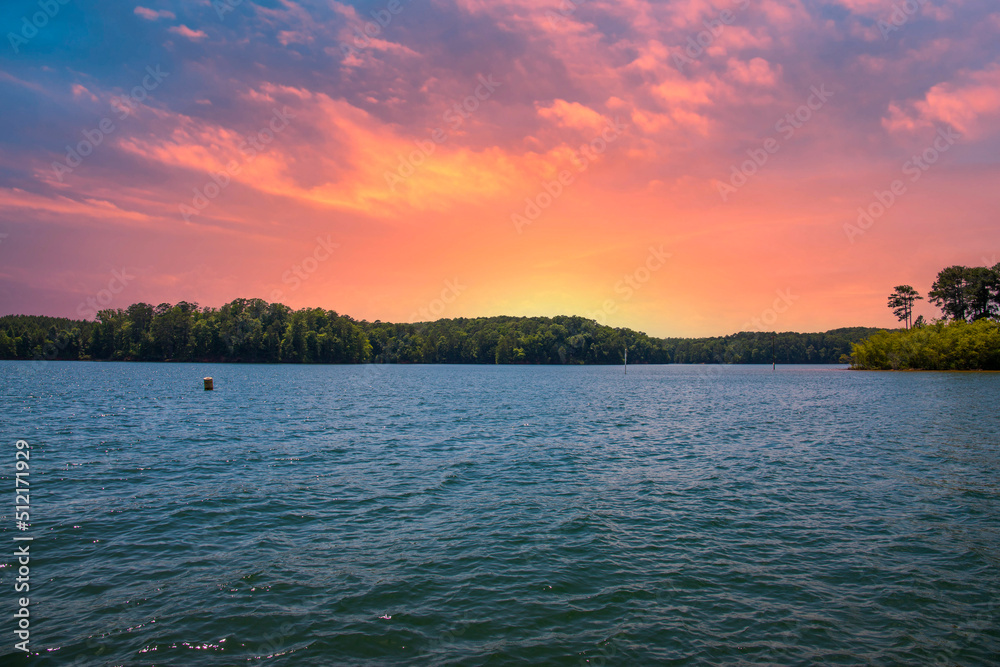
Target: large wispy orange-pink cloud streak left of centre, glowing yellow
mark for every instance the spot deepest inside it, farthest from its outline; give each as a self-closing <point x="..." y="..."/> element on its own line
<point x="344" y="165"/>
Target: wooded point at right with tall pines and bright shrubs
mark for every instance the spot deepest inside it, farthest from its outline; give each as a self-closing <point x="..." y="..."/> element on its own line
<point x="967" y="337"/>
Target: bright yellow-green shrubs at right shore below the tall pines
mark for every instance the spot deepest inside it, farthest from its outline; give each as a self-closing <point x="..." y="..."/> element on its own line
<point x="942" y="346"/>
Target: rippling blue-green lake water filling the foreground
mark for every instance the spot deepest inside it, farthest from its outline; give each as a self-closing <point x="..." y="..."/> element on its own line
<point x="483" y="515"/>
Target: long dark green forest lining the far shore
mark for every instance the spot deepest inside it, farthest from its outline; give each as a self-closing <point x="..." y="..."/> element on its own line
<point x="252" y="330"/>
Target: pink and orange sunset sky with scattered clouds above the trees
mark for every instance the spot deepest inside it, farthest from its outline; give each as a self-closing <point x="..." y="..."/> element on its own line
<point x="401" y="160"/>
